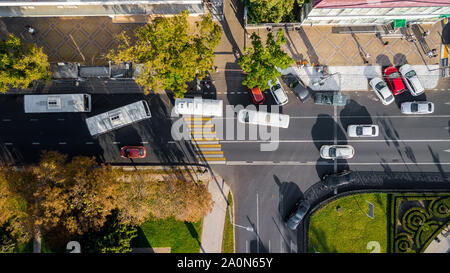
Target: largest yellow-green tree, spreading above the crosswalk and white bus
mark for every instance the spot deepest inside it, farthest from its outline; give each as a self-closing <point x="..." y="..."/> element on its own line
<point x="171" y="53"/>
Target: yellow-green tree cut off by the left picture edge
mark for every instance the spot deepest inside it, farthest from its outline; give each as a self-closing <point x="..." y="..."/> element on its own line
<point x="21" y="65"/>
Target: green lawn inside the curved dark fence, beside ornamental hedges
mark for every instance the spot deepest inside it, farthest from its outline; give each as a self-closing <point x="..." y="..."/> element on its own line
<point x="350" y="230"/>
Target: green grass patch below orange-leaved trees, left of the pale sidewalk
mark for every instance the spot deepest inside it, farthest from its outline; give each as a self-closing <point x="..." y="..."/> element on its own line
<point x="181" y="237"/>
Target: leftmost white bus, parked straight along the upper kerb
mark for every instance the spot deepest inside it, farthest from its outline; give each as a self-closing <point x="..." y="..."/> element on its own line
<point x="57" y="103"/>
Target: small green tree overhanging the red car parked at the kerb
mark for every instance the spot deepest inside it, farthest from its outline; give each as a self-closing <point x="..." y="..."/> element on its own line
<point x="261" y="62"/>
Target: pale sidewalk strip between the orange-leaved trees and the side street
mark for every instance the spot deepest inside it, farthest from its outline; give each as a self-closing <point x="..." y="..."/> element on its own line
<point x="213" y="223"/>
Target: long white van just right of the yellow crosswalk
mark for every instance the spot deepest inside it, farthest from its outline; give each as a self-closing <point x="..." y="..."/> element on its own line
<point x="263" y="118"/>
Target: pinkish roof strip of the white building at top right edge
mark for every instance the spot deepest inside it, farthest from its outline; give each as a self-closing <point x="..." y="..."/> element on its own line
<point x="329" y="4"/>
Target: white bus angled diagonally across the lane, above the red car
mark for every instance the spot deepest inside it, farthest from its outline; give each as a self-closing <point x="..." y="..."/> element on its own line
<point x="118" y="117"/>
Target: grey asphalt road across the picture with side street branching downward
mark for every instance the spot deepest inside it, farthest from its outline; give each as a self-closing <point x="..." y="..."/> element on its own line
<point x="265" y="184"/>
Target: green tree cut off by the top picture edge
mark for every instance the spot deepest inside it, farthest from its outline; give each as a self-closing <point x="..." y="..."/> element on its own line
<point x="271" y="11"/>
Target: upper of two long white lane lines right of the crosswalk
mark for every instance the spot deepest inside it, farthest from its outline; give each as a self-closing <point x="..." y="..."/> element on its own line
<point x="331" y="140"/>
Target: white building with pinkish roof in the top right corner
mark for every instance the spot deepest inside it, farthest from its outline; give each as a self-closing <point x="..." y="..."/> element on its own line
<point x="373" y="12"/>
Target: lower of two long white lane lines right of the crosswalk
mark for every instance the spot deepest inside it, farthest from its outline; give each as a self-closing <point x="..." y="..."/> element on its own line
<point x="309" y="163"/>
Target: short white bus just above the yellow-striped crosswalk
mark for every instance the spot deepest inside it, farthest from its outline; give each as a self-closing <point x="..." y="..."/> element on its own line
<point x="198" y="106"/>
